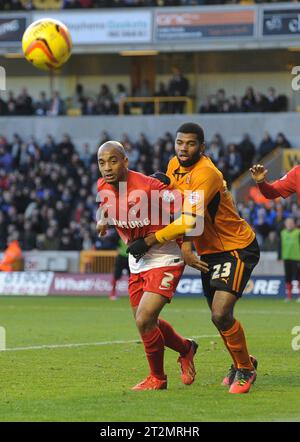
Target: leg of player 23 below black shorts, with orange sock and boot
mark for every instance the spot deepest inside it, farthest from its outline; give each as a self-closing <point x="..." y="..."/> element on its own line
<point x="243" y="369"/>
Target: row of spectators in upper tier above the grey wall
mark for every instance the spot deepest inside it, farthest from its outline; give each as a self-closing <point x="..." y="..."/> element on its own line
<point x="106" y="102"/>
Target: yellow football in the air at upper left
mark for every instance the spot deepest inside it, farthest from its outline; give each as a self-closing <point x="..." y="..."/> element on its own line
<point x="47" y="44"/>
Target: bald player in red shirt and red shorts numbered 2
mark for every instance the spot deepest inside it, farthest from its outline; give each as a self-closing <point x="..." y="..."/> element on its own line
<point x="126" y="201"/>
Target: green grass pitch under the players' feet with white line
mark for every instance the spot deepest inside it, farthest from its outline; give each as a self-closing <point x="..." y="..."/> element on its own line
<point x="92" y="382"/>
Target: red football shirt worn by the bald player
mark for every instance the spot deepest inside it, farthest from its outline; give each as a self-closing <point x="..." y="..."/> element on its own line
<point x="136" y="211"/>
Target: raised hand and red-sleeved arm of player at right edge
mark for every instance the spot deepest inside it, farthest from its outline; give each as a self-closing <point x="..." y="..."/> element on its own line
<point x="285" y="186"/>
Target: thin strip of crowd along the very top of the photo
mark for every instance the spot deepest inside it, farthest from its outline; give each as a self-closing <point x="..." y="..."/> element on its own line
<point x="13" y="5"/>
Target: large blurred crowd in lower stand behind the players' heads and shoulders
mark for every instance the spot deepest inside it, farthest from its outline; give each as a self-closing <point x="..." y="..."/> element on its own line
<point x="48" y="188"/>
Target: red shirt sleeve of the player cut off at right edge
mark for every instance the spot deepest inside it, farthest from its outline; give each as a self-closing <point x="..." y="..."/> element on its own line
<point x="286" y="186"/>
